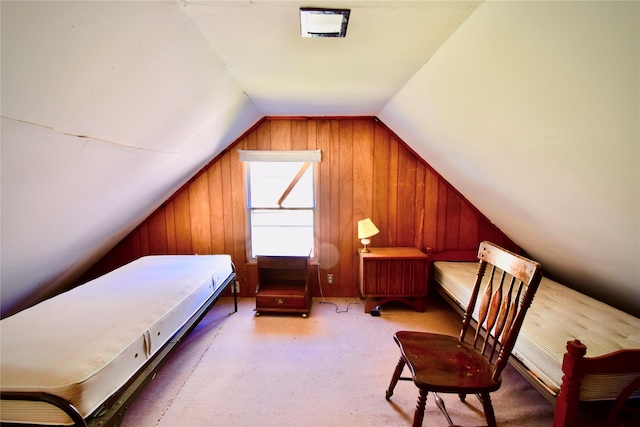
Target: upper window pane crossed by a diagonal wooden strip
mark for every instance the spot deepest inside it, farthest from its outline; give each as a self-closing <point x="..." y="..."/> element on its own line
<point x="269" y="180"/>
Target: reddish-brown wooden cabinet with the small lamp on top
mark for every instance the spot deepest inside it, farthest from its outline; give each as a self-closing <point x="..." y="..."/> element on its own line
<point x="393" y="274"/>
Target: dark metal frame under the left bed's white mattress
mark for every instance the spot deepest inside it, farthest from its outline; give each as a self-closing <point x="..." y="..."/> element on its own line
<point x="111" y="412"/>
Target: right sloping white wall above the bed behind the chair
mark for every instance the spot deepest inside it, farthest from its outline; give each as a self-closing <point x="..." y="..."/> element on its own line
<point x="531" y="110"/>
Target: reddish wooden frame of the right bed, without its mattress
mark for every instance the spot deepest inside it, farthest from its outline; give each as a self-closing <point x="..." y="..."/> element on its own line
<point x="574" y="367"/>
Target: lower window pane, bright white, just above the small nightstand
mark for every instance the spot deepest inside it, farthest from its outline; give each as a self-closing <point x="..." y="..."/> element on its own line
<point x="282" y="232"/>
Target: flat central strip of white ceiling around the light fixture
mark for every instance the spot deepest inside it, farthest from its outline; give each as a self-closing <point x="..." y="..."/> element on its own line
<point x="284" y="74"/>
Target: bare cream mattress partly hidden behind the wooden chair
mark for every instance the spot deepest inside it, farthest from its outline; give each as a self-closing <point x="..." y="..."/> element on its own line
<point x="558" y="314"/>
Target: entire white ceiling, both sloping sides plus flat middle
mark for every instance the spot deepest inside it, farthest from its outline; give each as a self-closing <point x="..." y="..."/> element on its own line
<point x="530" y="109"/>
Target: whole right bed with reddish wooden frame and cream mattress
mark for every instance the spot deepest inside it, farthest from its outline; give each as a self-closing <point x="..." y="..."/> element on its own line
<point x="561" y="327"/>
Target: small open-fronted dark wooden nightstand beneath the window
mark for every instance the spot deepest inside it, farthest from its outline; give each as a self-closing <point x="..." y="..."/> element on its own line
<point x="283" y="285"/>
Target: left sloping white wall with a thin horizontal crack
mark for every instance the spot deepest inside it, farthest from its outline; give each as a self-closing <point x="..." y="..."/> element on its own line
<point x="107" y="108"/>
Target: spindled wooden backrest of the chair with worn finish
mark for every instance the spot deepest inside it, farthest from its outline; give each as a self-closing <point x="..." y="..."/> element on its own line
<point x="508" y="283"/>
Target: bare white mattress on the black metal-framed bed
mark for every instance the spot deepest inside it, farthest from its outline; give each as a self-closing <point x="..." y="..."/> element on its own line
<point x="83" y="345"/>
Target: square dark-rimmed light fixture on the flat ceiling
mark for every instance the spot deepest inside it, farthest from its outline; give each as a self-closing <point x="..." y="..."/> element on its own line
<point x="316" y="22"/>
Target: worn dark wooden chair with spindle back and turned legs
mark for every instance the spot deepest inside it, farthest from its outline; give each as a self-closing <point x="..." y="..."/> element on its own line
<point x="446" y="364"/>
